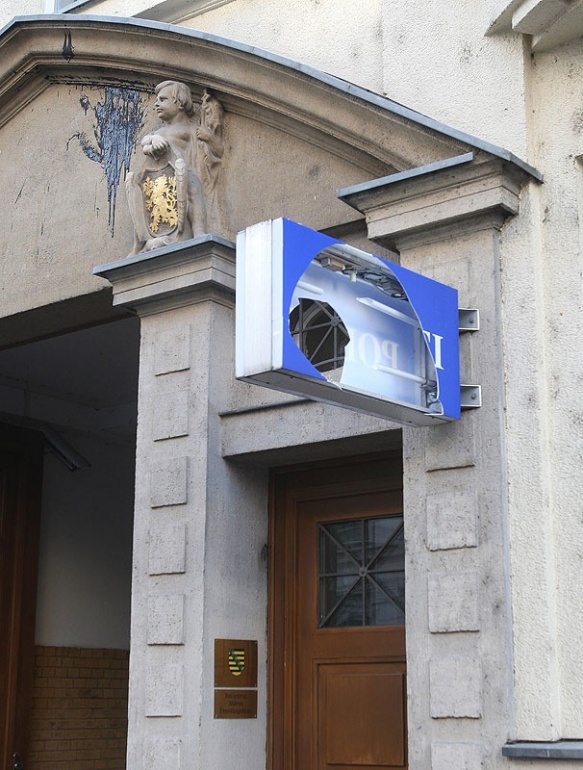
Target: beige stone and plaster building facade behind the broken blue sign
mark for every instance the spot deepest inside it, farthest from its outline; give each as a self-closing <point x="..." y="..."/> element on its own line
<point x="258" y="580"/>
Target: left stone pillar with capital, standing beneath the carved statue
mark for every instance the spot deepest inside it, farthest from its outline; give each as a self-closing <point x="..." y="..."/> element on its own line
<point x="196" y="565"/>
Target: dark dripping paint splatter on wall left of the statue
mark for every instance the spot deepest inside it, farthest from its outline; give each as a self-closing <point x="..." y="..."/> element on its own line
<point x="119" y="118"/>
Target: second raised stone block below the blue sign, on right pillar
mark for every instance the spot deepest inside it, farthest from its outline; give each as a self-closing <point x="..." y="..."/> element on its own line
<point x="452" y="520"/>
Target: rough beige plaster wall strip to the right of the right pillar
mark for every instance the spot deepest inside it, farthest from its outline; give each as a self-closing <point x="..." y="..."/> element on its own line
<point x="543" y="293"/>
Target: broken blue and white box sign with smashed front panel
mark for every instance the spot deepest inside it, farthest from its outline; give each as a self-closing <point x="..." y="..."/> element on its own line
<point x="321" y="319"/>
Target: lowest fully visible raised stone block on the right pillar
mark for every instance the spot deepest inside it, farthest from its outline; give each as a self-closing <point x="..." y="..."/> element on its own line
<point x="455" y="687"/>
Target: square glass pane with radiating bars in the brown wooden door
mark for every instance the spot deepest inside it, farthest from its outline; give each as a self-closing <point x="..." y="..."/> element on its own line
<point x="361" y="572"/>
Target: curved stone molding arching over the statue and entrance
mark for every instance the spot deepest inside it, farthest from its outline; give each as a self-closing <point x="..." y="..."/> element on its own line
<point x="345" y="120"/>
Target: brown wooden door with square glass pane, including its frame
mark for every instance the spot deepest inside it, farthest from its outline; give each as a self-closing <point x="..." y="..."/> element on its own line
<point x="338" y="696"/>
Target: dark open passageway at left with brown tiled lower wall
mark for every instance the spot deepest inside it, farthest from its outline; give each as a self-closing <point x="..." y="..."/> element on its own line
<point x="77" y="394"/>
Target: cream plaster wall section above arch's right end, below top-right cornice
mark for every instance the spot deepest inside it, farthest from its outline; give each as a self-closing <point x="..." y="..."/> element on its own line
<point x="440" y="63"/>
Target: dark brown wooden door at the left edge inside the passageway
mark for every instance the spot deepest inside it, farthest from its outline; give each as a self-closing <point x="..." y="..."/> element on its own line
<point x="20" y="495"/>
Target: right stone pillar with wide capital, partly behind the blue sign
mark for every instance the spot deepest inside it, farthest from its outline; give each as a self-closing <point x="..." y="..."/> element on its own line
<point x="446" y="223"/>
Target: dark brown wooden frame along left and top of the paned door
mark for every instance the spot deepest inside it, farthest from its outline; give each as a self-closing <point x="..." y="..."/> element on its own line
<point x="288" y="486"/>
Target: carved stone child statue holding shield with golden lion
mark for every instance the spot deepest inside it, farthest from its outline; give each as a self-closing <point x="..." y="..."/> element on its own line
<point x="169" y="197"/>
